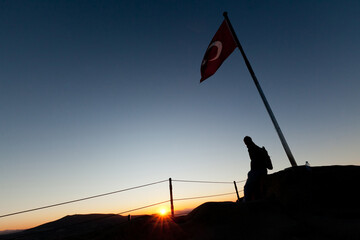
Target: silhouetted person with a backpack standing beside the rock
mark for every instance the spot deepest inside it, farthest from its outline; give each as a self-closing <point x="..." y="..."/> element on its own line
<point x="260" y="161"/>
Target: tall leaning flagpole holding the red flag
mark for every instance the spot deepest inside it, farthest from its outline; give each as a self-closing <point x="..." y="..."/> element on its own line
<point x="273" y="119"/>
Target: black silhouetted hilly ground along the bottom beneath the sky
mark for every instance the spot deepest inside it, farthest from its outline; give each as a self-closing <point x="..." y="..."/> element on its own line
<point x="300" y="203"/>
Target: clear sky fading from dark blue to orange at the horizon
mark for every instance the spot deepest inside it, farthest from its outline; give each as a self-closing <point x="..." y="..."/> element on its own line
<point x="97" y="96"/>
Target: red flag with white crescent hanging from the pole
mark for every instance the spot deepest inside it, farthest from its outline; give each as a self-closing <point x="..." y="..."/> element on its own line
<point x="220" y="47"/>
